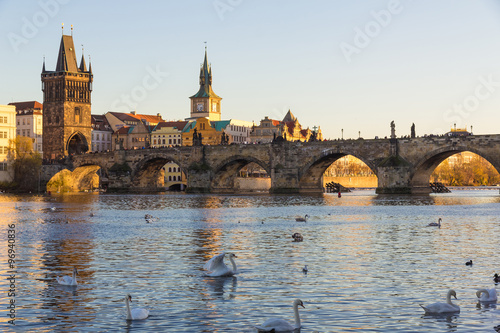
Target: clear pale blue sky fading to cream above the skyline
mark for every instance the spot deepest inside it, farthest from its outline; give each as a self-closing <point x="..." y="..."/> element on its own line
<point x="354" y="65"/>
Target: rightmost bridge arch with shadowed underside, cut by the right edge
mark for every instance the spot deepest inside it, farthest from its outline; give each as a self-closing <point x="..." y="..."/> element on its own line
<point x="422" y="170"/>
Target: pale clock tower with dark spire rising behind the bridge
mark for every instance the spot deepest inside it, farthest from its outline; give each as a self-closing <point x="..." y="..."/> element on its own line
<point x="205" y="103"/>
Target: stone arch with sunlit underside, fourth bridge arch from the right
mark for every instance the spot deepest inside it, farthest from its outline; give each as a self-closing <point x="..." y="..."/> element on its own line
<point x="148" y="174"/>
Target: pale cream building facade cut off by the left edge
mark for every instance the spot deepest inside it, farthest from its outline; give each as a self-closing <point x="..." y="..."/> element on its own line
<point x="7" y="134"/>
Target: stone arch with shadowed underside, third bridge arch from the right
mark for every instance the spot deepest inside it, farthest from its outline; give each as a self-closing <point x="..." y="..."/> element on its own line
<point x="226" y="172"/>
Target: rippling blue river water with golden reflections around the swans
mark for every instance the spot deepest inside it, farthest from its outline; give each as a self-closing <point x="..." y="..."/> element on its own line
<point x="372" y="260"/>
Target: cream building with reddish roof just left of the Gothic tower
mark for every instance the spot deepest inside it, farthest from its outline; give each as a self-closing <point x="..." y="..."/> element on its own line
<point x="29" y="120"/>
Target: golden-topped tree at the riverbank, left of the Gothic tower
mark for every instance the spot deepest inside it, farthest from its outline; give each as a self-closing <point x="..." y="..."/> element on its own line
<point x="26" y="163"/>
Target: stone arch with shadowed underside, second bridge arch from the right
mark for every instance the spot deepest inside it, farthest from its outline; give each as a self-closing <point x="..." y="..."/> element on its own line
<point x="310" y="175"/>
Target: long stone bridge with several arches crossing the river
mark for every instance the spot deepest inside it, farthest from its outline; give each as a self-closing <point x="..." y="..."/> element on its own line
<point x="401" y="165"/>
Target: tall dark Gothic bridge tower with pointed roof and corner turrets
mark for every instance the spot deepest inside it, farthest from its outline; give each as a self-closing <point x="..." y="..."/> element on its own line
<point x="66" y="104"/>
